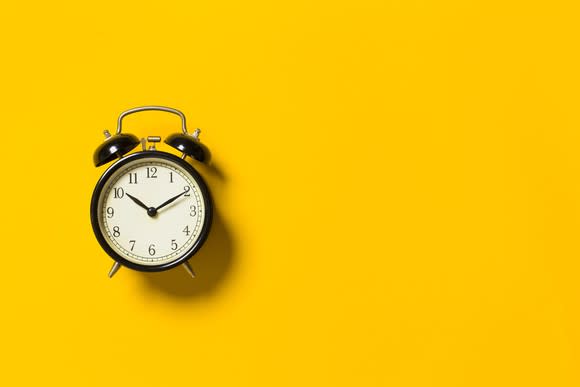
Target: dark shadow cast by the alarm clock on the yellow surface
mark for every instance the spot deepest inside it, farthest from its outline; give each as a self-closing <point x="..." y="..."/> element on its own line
<point x="211" y="265"/>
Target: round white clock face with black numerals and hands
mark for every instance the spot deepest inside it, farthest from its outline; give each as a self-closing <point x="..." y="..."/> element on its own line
<point x="151" y="211"/>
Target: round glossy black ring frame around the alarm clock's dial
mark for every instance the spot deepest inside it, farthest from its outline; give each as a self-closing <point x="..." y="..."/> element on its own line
<point x="151" y="155"/>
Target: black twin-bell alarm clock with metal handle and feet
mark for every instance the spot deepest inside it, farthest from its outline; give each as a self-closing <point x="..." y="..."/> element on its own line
<point x="151" y="210"/>
